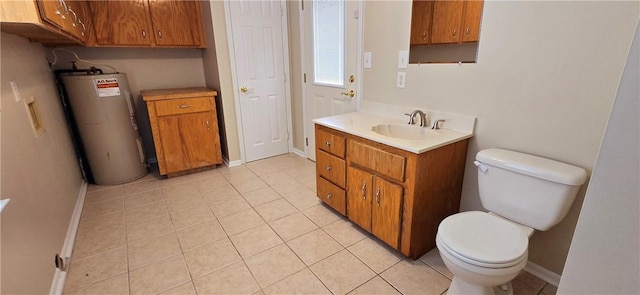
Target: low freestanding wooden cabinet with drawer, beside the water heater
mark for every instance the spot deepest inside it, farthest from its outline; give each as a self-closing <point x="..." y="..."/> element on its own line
<point x="184" y="127"/>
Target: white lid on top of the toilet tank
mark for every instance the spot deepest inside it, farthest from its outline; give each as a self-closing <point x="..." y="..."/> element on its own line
<point x="534" y="166"/>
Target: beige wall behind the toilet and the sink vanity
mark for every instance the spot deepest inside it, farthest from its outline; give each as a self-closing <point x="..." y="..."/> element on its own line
<point x="546" y="76"/>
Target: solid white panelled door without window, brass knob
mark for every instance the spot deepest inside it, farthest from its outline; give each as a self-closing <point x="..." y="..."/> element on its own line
<point x="257" y="28"/>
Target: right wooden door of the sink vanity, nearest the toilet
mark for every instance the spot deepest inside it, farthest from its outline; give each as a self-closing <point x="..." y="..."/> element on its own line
<point x="386" y="211"/>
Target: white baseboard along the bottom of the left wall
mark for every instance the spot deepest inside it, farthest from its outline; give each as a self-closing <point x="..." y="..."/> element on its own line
<point x="57" y="286"/>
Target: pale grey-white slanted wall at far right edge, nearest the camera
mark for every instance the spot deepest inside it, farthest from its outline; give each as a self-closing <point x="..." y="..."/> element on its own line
<point x="604" y="257"/>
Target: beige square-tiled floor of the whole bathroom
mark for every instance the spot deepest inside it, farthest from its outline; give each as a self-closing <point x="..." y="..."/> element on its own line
<point x="253" y="229"/>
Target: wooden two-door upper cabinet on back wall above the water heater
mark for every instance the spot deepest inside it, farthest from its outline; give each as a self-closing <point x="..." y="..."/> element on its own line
<point x="144" y="23"/>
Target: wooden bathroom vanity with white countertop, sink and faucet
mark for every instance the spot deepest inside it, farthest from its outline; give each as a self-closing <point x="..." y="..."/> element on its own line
<point x="399" y="185"/>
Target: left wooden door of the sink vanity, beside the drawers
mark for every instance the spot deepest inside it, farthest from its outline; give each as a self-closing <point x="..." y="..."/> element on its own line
<point x="359" y="184"/>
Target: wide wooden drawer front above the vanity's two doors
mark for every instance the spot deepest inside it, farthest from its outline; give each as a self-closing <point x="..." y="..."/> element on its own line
<point x="382" y="162"/>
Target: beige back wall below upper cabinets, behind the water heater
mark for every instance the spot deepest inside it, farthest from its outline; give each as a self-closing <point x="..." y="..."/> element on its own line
<point x="146" y="68"/>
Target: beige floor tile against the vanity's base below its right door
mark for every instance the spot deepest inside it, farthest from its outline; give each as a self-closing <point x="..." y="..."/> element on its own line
<point x="375" y="254"/>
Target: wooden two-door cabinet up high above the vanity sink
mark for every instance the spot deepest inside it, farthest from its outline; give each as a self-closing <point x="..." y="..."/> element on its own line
<point x="445" y="21"/>
